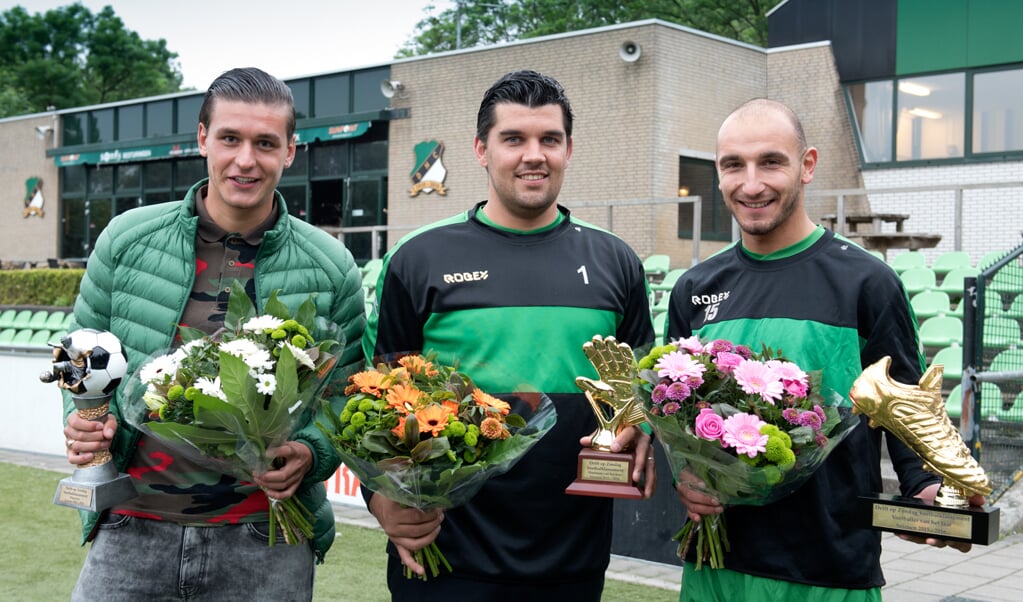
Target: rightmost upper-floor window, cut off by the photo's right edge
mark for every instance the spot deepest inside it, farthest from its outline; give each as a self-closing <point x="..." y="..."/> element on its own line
<point x="998" y="112"/>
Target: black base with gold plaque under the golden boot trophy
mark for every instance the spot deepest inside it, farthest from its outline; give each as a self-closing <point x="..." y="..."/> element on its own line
<point x="926" y="520"/>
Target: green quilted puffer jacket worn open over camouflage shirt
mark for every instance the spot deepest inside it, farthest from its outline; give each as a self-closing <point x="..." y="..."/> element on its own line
<point x="140" y="278"/>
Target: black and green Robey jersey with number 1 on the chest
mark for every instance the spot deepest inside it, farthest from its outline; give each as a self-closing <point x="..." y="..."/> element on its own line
<point x="514" y="310"/>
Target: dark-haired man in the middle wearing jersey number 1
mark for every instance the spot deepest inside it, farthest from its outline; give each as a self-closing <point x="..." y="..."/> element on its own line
<point x="511" y="290"/>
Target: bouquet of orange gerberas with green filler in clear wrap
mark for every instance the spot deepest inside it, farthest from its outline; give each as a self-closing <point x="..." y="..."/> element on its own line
<point x="424" y="436"/>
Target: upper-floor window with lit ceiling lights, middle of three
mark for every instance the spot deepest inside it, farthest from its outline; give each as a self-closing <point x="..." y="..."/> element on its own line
<point x="931" y="118"/>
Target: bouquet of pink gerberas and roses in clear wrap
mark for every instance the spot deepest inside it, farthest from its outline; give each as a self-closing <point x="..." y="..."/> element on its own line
<point x="738" y="427"/>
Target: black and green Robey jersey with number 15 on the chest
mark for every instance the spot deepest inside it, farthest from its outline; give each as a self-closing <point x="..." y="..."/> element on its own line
<point x="828" y="306"/>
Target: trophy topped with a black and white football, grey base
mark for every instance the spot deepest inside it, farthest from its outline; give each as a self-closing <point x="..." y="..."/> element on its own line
<point x="91" y="365"/>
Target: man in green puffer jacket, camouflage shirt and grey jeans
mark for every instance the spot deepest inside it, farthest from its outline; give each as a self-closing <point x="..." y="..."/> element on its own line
<point x="193" y="531"/>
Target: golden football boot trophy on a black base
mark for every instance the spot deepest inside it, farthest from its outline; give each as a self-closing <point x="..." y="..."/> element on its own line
<point x="917" y="416"/>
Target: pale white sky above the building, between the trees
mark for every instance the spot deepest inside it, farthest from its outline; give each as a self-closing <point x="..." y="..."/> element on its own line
<point x="286" y="38"/>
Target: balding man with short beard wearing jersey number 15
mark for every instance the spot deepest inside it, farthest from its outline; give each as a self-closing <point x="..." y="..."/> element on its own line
<point x="828" y="306"/>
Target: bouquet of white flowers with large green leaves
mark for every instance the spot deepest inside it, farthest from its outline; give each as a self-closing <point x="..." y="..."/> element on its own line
<point x="226" y="400"/>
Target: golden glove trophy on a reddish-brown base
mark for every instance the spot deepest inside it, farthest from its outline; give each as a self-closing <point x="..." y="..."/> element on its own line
<point x="603" y="472"/>
